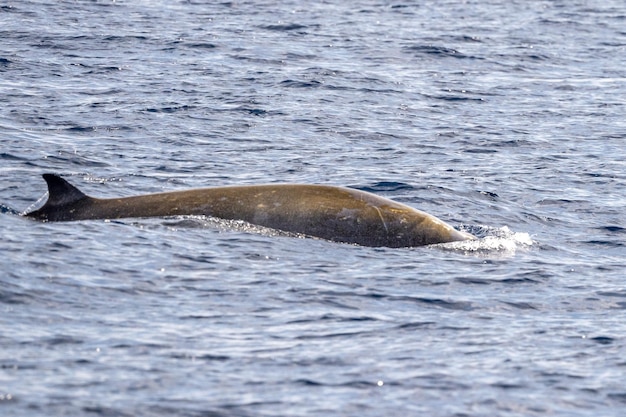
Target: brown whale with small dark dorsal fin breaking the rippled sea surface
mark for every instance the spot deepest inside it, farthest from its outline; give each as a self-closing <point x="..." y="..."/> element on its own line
<point x="333" y="213"/>
